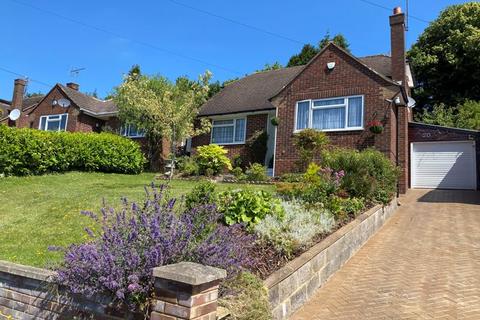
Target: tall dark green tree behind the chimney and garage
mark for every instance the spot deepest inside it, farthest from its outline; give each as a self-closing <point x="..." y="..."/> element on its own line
<point x="446" y="57"/>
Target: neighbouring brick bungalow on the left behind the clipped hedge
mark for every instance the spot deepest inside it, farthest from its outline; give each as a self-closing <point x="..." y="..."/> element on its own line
<point x="65" y="108"/>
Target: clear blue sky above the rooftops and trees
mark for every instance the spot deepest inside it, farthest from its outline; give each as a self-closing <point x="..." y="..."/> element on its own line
<point x="172" y="39"/>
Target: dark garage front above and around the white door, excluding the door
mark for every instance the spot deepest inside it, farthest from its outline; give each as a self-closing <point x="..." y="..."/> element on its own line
<point x="419" y="132"/>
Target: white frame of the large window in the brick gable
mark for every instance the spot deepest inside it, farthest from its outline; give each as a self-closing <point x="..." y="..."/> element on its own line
<point x="345" y="105"/>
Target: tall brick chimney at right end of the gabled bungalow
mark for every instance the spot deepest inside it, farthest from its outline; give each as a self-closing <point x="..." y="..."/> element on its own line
<point x="397" y="36"/>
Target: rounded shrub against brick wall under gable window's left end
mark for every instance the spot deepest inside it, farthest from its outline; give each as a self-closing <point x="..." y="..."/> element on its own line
<point x="310" y="143"/>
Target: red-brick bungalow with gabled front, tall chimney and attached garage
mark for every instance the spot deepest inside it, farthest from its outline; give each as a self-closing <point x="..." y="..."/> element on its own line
<point x="340" y="94"/>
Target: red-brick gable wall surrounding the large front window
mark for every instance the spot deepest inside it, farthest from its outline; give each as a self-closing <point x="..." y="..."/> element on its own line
<point x="348" y="78"/>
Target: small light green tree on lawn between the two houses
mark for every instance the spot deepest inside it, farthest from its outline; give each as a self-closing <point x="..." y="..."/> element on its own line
<point x="161" y="108"/>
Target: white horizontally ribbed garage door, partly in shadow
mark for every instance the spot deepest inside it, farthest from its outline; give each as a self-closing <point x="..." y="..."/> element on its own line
<point x="447" y="165"/>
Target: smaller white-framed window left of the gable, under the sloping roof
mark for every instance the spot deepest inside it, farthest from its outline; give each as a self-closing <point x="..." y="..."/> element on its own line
<point x="230" y="131"/>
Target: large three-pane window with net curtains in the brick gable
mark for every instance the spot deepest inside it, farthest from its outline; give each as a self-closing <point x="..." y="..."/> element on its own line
<point x="330" y="114"/>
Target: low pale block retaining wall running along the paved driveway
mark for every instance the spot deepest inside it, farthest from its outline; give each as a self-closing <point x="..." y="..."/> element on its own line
<point x="290" y="287"/>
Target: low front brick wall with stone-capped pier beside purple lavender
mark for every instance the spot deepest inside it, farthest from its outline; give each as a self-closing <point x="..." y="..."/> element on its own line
<point x="182" y="291"/>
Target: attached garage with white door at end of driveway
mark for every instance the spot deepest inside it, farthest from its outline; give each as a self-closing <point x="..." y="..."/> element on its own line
<point x="443" y="158"/>
